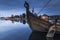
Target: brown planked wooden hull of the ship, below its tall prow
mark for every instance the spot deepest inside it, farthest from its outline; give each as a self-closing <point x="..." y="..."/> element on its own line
<point x="37" y="24"/>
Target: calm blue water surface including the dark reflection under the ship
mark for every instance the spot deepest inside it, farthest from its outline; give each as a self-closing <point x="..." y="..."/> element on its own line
<point x="19" y="31"/>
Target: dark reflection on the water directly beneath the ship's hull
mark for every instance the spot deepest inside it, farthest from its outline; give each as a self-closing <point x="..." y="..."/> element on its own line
<point x="35" y="35"/>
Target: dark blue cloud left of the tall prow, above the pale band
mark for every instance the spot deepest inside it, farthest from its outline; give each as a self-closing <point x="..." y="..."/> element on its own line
<point x="11" y="4"/>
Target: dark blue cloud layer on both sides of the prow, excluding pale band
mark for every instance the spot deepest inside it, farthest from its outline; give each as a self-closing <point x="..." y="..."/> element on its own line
<point x="52" y="7"/>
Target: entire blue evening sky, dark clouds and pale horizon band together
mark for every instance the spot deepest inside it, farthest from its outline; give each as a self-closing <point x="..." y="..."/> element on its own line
<point x="16" y="7"/>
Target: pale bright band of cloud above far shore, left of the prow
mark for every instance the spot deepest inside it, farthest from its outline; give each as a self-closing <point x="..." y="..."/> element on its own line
<point x="7" y="13"/>
